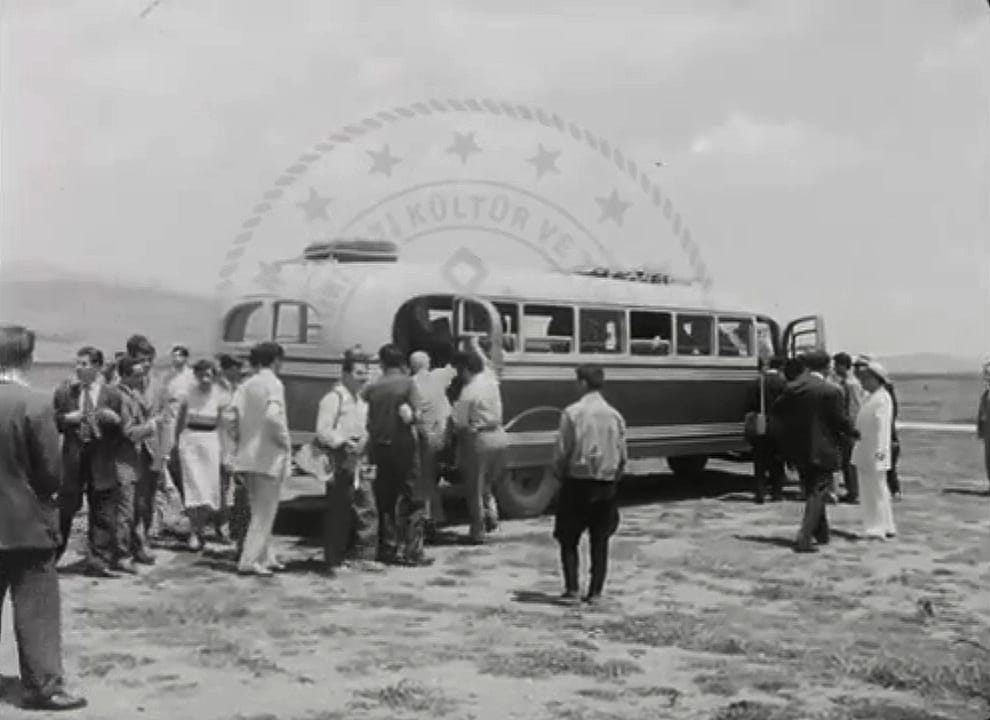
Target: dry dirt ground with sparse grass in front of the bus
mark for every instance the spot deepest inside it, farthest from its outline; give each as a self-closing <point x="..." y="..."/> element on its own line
<point x="710" y="615"/>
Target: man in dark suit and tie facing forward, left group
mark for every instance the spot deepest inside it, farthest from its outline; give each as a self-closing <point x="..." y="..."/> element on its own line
<point x="87" y="413"/>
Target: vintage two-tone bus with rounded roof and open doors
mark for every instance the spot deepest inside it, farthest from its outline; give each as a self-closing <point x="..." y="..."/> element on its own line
<point x="678" y="363"/>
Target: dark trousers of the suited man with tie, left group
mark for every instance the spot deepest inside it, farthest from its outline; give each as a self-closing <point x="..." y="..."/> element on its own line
<point x="102" y="504"/>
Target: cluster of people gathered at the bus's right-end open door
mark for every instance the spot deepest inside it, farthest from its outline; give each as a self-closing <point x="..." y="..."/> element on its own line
<point x="827" y="417"/>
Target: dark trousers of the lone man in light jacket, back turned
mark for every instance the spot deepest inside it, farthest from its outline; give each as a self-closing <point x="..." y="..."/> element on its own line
<point x="585" y="505"/>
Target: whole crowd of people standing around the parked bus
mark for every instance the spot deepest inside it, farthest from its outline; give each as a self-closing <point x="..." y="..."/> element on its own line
<point x="210" y="440"/>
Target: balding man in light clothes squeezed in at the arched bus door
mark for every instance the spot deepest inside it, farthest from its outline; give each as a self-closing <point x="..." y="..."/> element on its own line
<point x="432" y="417"/>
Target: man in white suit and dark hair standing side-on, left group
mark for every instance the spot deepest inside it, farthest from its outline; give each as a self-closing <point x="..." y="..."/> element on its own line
<point x="262" y="455"/>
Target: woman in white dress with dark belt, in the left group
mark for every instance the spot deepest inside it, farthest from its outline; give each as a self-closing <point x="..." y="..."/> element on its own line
<point x="198" y="442"/>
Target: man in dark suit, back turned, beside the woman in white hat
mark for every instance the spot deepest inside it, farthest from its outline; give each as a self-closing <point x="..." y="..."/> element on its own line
<point x="815" y="428"/>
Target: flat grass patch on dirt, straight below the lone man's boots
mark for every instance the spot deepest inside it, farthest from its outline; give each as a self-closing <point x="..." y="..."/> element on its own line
<point x="549" y="662"/>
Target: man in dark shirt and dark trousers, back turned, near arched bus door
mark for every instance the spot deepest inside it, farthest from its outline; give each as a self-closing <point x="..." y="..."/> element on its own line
<point x="392" y="451"/>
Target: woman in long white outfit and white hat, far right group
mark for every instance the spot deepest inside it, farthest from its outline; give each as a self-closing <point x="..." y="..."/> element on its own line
<point x="872" y="452"/>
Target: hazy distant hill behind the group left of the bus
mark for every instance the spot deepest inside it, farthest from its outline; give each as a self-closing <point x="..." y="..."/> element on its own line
<point x="67" y="312"/>
